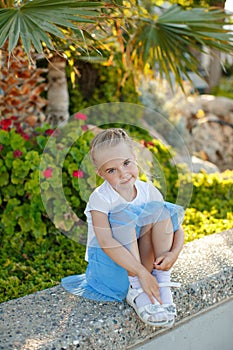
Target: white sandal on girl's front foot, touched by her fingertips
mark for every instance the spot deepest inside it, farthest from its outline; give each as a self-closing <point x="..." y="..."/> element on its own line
<point x="145" y="312"/>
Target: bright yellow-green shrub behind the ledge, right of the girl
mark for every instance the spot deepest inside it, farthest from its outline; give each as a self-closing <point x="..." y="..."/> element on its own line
<point x="211" y="206"/>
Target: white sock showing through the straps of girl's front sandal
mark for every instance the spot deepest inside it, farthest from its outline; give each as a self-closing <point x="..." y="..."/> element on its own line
<point x="143" y="300"/>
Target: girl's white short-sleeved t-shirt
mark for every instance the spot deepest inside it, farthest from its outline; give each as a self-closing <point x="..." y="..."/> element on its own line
<point x="104" y="199"/>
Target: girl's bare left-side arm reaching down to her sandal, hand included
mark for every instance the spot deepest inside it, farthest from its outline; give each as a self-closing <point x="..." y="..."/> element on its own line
<point x="122" y="256"/>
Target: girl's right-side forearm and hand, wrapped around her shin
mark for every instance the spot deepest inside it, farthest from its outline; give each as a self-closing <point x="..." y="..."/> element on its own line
<point x="167" y="260"/>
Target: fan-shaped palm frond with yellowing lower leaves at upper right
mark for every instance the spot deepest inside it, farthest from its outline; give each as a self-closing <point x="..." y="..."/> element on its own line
<point x="168" y="41"/>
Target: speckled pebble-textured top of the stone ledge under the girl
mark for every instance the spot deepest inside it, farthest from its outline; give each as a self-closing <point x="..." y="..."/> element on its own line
<point x="55" y="320"/>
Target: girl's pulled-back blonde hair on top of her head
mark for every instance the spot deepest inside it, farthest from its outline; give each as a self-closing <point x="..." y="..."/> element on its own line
<point x="108" y="138"/>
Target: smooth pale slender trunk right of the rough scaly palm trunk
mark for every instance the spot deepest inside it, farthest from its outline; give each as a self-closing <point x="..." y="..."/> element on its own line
<point x="58" y="97"/>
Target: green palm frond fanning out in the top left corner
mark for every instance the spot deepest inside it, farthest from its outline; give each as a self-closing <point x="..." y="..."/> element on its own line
<point x="35" y="21"/>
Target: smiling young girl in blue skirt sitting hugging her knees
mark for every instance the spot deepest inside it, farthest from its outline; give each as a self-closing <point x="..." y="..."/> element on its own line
<point x="131" y="241"/>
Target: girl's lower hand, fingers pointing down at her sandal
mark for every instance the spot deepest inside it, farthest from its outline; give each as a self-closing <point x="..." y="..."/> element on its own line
<point x="150" y="286"/>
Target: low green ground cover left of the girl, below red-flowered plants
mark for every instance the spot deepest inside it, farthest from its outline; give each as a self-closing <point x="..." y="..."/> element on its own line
<point x="29" y="265"/>
